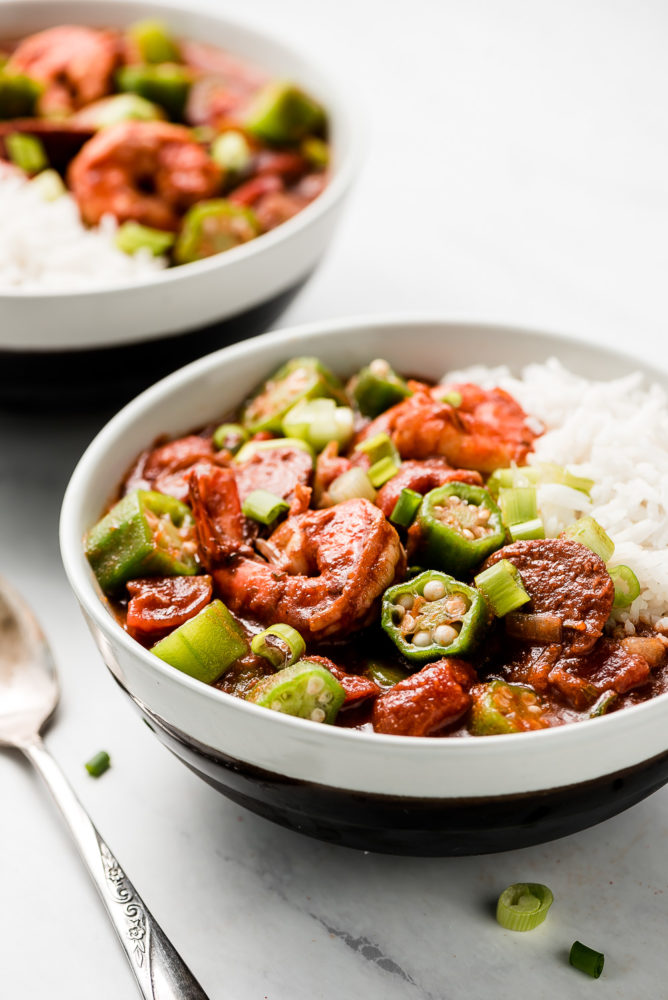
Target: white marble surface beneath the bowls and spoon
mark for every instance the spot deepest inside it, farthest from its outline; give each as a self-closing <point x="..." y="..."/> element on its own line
<point x="528" y="182"/>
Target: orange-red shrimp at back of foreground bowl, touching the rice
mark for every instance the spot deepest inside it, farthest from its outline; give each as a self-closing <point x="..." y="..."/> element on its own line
<point x="486" y="431"/>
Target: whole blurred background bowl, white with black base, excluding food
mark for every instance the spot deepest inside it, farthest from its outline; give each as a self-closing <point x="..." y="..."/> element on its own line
<point x="60" y="347"/>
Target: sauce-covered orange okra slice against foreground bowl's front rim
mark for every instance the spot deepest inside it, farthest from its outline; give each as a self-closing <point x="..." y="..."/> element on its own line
<point x="499" y="708"/>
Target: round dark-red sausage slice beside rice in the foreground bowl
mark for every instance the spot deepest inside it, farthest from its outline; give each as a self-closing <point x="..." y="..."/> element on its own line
<point x="566" y="579"/>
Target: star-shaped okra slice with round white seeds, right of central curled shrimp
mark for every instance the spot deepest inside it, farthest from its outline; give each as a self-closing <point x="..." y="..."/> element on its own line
<point x="433" y="615"/>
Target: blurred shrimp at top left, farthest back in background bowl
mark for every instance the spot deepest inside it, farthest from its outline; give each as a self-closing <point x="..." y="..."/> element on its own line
<point x="76" y="64"/>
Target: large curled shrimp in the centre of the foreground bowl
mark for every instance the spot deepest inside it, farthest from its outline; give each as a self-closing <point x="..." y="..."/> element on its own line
<point x="328" y="568"/>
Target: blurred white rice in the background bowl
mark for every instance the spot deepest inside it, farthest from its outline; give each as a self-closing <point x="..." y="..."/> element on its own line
<point x="44" y="245"/>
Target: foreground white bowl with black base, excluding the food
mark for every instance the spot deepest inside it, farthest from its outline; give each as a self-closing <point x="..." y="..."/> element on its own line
<point x="432" y="796"/>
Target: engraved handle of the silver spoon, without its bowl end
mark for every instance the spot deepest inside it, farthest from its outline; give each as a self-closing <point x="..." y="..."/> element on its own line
<point x="160" y="971"/>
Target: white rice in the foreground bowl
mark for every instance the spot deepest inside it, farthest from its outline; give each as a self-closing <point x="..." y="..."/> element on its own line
<point x="615" y="433"/>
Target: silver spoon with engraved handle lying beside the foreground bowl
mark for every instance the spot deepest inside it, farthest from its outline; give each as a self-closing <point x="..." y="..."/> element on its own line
<point x="28" y="697"/>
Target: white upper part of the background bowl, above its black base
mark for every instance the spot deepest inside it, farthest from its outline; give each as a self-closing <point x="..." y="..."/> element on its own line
<point x="197" y="294"/>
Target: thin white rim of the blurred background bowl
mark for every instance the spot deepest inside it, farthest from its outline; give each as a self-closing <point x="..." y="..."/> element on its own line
<point x="340" y="180"/>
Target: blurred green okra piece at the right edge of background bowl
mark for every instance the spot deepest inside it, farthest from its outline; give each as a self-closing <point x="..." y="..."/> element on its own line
<point x="282" y="113"/>
